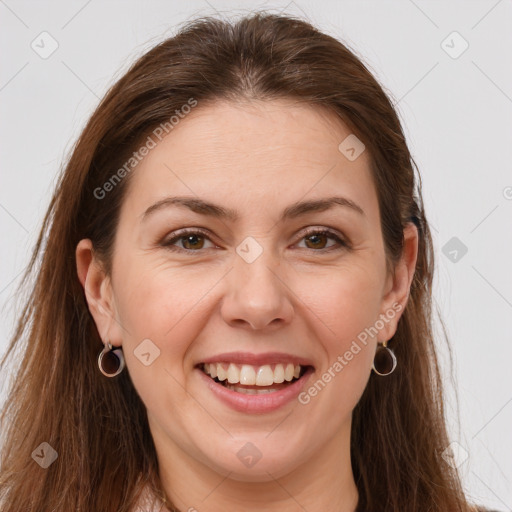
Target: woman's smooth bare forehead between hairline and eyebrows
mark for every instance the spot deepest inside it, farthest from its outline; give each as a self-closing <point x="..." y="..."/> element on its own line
<point x="251" y="152"/>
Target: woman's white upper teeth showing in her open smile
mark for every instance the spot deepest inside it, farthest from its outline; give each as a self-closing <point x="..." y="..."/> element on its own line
<point x="252" y="375"/>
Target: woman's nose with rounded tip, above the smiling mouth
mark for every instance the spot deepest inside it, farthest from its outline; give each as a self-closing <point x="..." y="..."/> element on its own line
<point x="257" y="296"/>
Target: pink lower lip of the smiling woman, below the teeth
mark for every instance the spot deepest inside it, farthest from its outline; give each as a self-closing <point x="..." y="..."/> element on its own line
<point x="266" y="402"/>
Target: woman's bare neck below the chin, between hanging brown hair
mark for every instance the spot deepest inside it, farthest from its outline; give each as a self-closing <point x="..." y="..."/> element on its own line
<point x="323" y="482"/>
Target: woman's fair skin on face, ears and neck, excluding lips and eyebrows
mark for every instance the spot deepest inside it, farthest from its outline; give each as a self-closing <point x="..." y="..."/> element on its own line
<point x="296" y="297"/>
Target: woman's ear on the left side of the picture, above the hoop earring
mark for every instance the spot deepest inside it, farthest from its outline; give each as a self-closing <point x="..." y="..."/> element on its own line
<point x="98" y="292"/>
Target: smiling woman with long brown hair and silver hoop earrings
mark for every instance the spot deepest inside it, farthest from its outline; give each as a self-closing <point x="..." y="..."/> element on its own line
<point x="232" y="304"/>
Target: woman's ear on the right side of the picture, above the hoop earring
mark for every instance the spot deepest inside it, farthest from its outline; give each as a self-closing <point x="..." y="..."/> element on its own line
<point x="397" y="287"/>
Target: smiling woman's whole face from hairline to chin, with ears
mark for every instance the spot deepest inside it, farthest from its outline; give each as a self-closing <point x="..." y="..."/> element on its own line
<point x="256" y="277"/>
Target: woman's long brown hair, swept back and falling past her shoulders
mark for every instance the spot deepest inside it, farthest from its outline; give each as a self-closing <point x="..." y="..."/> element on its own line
<point x="98" y="426"/>
